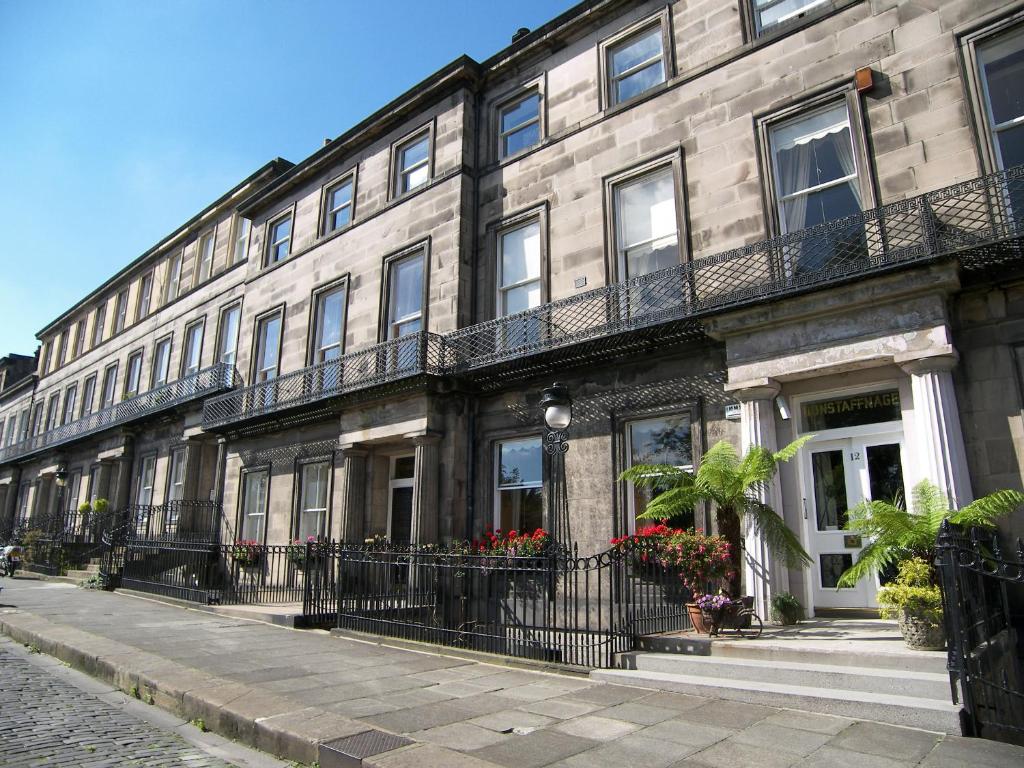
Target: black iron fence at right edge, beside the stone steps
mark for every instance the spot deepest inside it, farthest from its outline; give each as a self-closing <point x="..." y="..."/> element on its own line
<point x="986" y="636"/>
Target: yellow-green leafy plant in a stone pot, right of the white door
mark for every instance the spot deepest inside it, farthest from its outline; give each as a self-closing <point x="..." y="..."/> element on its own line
<point x="916" y="604"/>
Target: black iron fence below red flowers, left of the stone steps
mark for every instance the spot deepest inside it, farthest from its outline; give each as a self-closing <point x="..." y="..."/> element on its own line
<point x="558" y="608"/>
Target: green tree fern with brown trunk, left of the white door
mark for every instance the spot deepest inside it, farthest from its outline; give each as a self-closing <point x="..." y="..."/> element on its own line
<point x="735" y="485"/>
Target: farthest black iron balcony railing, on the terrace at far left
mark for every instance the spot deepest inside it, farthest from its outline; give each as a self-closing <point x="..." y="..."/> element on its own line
<point x="207" y="381"/>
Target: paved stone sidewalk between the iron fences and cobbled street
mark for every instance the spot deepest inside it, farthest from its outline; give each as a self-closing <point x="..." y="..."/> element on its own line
<point x="284" y="691"/>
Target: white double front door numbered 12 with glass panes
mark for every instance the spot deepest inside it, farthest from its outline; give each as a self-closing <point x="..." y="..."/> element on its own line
<point x="839" y="475"/>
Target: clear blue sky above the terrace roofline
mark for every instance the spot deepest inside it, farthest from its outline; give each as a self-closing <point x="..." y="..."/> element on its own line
<point x="121" y="120"/>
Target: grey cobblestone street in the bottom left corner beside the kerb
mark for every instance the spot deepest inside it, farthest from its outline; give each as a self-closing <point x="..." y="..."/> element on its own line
<point x="48" y="720"/>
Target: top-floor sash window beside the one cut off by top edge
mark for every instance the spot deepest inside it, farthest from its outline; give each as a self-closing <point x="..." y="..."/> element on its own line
<point x="636" y="62"/>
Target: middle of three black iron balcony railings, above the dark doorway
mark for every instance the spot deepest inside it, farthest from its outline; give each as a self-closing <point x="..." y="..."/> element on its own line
<point x="381" y="364"/>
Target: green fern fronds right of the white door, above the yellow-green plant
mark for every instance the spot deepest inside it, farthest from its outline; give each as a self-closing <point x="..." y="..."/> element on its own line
<point x="897" y="534"/>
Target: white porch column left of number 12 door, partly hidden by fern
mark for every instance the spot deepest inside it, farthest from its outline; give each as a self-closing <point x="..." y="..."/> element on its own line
<point x="763" y="575"/>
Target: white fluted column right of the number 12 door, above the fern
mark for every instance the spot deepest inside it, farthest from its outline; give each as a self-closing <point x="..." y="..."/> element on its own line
<point x="937" y="437"/>
